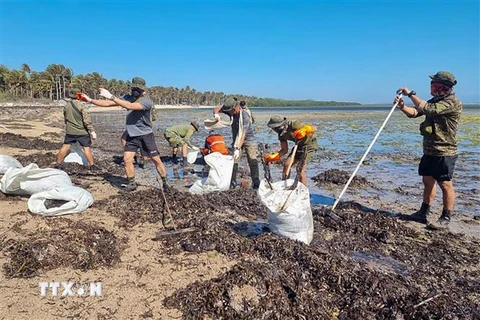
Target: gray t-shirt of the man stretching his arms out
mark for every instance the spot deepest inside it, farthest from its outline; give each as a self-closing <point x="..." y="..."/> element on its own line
<point x="138" y="121"/>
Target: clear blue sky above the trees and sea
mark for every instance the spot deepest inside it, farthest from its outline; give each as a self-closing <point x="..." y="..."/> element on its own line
<point x="324" y="50"/>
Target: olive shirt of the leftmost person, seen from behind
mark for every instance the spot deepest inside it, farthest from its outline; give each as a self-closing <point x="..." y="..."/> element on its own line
<point x="77" y="119"/>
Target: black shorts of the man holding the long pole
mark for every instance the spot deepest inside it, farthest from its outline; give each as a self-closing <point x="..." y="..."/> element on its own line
<point x="439" y="167"/>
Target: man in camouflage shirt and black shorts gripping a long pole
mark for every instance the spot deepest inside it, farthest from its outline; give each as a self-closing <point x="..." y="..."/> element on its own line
<point x="439" y="131"/>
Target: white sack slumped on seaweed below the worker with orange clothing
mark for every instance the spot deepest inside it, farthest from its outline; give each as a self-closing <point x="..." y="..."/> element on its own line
<point x="219" y="176"/>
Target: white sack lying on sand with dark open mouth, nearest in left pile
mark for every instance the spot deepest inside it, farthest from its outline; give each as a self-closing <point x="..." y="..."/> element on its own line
<point x="59" y="201"/>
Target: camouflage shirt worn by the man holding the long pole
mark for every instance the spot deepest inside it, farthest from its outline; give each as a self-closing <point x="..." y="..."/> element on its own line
<point x="439" y="130"/>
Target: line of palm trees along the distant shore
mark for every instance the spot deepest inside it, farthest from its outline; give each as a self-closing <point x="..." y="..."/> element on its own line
<point x="54" y="82"/>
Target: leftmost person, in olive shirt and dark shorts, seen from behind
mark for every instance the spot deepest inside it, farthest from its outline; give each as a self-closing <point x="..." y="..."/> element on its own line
<point x="79" y="128"/>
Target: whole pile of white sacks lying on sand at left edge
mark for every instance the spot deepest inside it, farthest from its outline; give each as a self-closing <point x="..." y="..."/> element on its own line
<point x="42" y="185"/>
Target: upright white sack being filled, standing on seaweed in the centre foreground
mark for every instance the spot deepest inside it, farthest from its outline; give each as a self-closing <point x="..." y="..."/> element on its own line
<point x="290" y="214"/>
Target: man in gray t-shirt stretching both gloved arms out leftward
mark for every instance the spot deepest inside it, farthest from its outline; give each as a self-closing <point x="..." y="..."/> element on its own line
<point x="138" y="127"/>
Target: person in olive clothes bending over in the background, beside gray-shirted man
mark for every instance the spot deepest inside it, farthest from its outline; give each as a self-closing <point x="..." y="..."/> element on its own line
<point x="179" y="136"/>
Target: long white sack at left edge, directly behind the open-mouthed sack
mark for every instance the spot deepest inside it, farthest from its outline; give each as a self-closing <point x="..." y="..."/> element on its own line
<point x="31" y="179"/>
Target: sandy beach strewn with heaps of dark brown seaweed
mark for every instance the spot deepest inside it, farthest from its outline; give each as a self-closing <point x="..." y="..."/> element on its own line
<point x="363" y="265"/>
